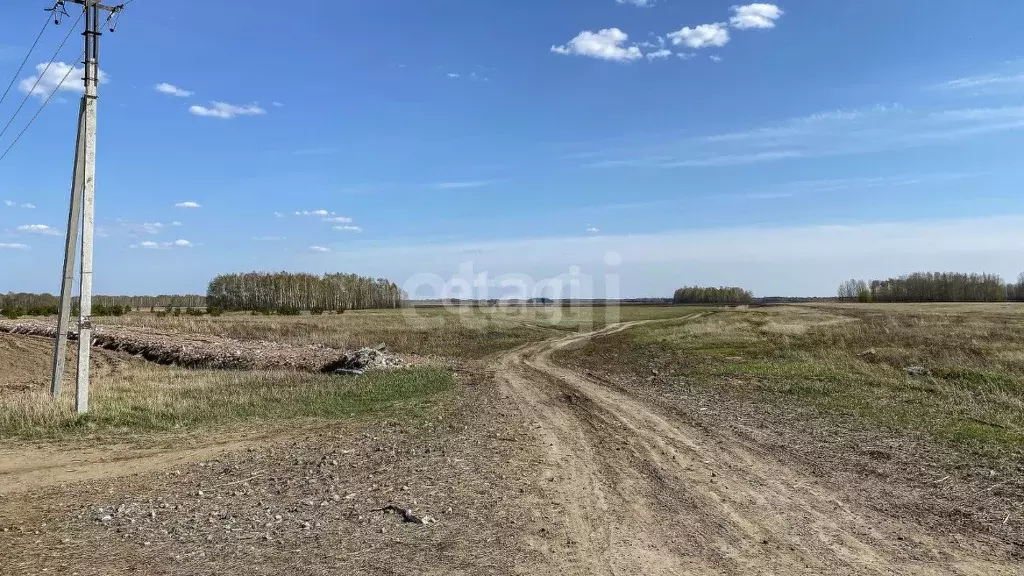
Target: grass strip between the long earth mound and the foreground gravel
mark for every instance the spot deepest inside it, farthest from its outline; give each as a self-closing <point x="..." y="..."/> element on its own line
<point x="156" y="399"/>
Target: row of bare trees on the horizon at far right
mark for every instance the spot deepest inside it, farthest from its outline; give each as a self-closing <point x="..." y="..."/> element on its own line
<point x="934" y="287"/>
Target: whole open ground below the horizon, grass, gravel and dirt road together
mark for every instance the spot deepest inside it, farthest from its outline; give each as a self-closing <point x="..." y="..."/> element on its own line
<point x="633" y="440"/>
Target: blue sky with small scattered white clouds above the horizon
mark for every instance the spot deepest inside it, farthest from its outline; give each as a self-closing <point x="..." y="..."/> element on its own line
<point x="780" y="147"/>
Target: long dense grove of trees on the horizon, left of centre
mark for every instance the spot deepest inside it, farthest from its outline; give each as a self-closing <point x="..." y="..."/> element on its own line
<point x="267" y="292"/>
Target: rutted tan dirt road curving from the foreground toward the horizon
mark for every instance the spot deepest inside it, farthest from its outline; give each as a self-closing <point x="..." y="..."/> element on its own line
<point x="647" y="495"/>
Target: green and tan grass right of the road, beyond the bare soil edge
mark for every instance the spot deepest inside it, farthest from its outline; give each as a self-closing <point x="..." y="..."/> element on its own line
<point x="849" y="363"/>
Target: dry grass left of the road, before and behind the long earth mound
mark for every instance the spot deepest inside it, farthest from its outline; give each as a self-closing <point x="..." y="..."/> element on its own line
<point x="131" y="395"/>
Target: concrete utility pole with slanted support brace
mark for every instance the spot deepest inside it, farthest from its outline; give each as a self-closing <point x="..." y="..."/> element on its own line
<point x="82" y="208"/>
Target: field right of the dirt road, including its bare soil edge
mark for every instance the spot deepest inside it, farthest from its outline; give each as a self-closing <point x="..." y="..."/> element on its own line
<point x="830" y="387"/>
